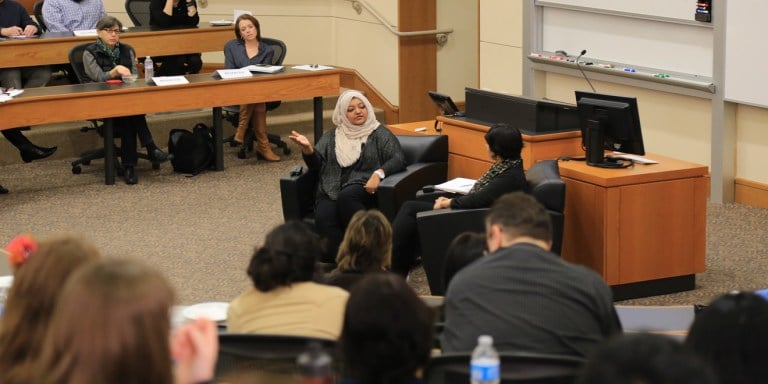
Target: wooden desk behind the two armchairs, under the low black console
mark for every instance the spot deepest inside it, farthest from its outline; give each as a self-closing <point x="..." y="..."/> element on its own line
<point x="468" y="153"/>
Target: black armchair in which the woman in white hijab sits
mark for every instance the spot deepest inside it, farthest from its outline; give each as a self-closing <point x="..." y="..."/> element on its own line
<point x="426" y="157"/>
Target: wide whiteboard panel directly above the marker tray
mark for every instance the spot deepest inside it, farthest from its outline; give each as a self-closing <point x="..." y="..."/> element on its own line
<point x="648" y="43"/>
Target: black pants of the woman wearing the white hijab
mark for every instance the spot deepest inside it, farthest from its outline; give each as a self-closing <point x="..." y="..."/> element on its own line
<point x="332" y="216"/>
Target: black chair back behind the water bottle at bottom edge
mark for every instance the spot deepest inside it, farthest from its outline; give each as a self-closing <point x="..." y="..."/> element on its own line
<point x="516" y="368"/>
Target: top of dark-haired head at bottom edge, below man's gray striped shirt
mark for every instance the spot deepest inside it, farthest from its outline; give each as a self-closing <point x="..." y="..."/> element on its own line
<point x="645" y="358"/>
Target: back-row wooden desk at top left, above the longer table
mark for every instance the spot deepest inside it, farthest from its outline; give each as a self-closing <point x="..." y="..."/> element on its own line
<point x="53" y="48"/>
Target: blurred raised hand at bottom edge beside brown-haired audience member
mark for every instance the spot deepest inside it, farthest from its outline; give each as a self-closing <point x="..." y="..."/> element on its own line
<point x="195" y="347"/>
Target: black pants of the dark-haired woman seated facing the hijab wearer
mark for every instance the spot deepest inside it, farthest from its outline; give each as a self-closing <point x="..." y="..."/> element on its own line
<point x="405" y="236"/>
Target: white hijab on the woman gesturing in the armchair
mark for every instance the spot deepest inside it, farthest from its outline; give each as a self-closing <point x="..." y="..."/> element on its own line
<point x="349" y="137"/>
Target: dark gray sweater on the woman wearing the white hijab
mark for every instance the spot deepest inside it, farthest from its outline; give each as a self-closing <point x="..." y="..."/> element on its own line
<point x="381" y="150"/>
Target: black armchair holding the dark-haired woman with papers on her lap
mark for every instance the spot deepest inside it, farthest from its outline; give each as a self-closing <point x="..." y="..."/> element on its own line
<point x="438" y="228"/>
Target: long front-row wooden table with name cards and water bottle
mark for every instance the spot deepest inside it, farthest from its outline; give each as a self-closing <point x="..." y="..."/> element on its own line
<point x="100" y="100"/>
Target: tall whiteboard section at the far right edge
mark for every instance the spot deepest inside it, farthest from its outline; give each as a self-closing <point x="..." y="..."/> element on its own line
<point x="745" y="78"/>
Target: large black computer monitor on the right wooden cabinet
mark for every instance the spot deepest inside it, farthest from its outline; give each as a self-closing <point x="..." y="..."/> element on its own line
<point x="609" y="122"/>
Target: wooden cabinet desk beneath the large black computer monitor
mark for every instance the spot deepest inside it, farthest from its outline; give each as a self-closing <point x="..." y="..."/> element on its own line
<point x="642" y="228"/>
